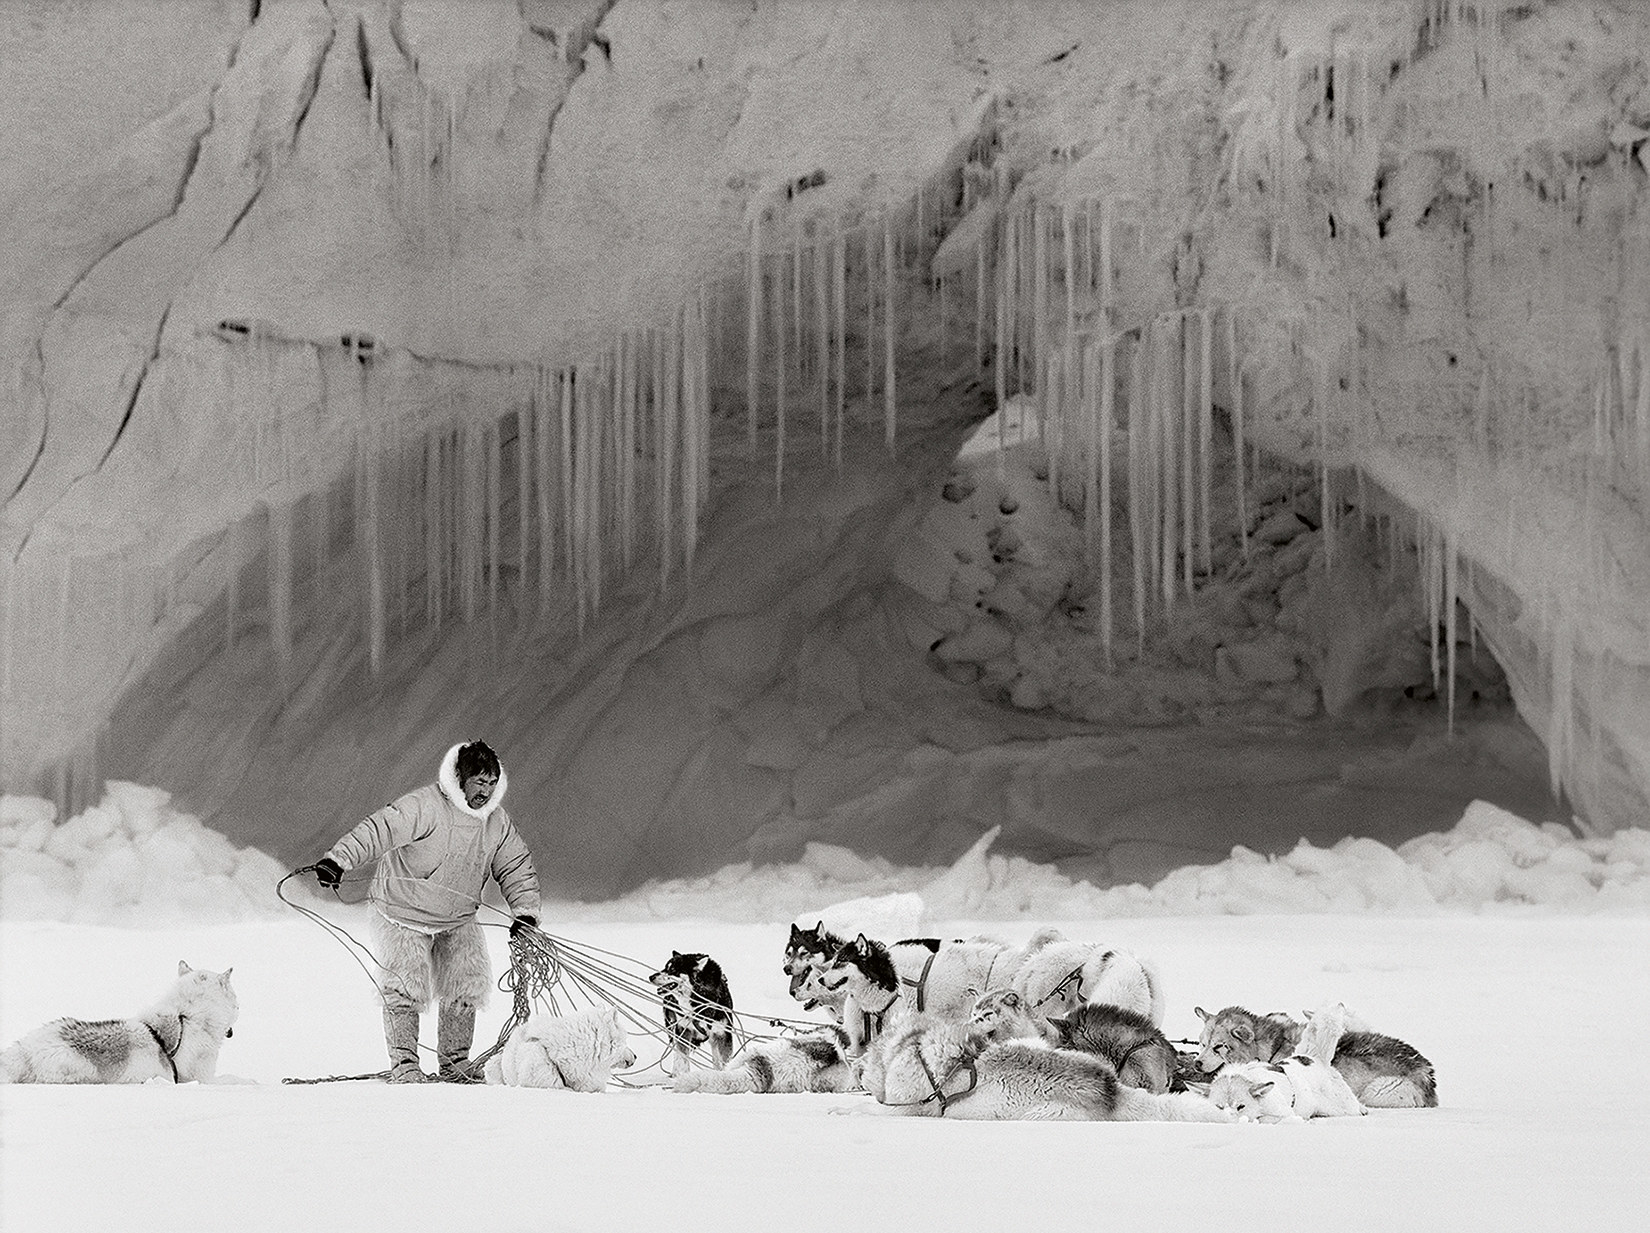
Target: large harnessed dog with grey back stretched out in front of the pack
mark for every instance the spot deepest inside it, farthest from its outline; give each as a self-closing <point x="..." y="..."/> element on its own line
<point x="930" y="1067"/>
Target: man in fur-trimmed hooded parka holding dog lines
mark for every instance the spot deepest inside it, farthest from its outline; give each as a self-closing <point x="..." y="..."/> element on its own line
<point x="438" y="848"/>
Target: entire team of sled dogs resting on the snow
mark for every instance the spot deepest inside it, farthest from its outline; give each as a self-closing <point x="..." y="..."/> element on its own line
<point x="968" y="1029"/>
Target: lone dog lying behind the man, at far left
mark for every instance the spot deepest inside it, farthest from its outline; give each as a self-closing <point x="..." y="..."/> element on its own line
<point x="177" y="1041"/>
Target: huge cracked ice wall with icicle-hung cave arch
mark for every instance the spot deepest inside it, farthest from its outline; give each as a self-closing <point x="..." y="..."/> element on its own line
<point x="1129" y="430"/>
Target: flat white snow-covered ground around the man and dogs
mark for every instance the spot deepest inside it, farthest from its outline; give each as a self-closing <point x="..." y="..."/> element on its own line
<point x="1514" y="958"/>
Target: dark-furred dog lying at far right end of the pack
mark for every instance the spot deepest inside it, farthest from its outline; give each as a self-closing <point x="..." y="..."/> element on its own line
<point x="1384" y="1072"/>
